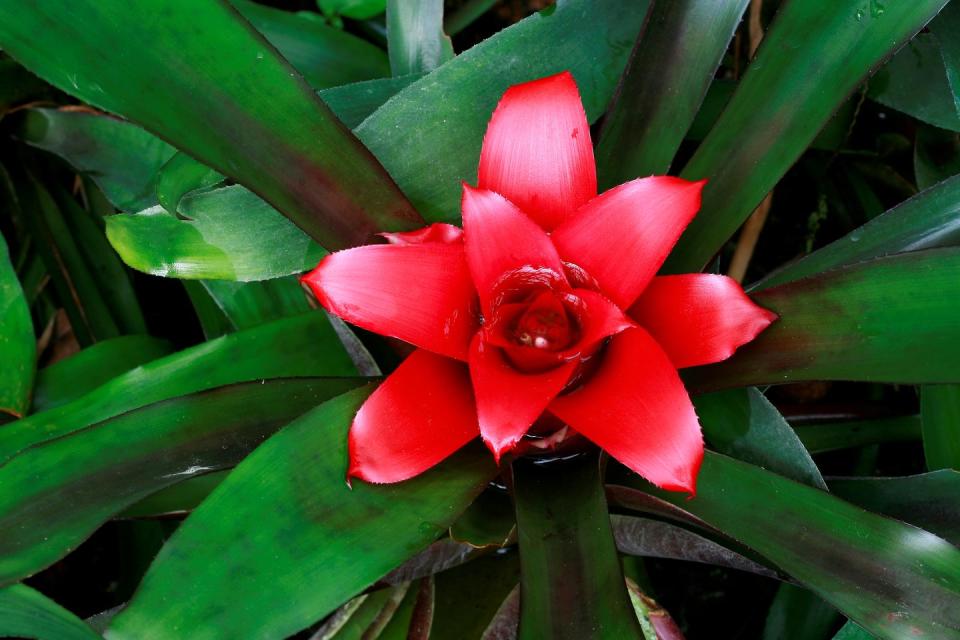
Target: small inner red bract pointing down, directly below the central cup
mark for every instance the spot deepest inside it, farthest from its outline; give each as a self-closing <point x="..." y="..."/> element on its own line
<point x="508" y="401"/>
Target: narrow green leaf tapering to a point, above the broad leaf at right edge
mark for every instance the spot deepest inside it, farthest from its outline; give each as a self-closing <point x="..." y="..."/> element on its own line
<point x="928" y="220"/>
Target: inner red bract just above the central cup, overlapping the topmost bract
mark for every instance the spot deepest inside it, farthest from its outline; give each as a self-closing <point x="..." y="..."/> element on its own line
<point x="500" y="239"/>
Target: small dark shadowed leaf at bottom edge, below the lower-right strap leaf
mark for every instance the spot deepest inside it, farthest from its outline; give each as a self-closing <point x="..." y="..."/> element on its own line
<point x="797" y="614"/>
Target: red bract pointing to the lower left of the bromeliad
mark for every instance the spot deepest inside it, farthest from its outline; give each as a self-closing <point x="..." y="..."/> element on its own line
<point x="419" y="416"/>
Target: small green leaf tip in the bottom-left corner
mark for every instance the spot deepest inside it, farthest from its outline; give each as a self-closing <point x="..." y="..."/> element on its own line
<point x="25" y="613"/>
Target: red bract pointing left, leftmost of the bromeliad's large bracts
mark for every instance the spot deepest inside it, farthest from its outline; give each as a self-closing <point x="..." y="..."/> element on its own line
<point x="419" y="293"/>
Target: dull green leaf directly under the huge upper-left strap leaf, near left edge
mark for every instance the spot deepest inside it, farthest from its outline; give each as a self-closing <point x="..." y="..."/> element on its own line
<point x="121" y="158"/>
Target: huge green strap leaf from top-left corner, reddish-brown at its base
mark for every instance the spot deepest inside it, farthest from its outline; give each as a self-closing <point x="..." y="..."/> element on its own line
<point x="199" y="76"/>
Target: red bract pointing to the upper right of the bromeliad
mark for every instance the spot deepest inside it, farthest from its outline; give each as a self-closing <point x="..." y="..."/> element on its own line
<point x="623" y="236"/>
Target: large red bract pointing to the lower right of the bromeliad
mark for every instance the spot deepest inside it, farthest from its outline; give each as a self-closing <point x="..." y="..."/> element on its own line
<point x="636" y="409"/>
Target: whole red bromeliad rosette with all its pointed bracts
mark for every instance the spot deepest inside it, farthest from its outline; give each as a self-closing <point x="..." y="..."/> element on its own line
<point x="545" y="304"/>
